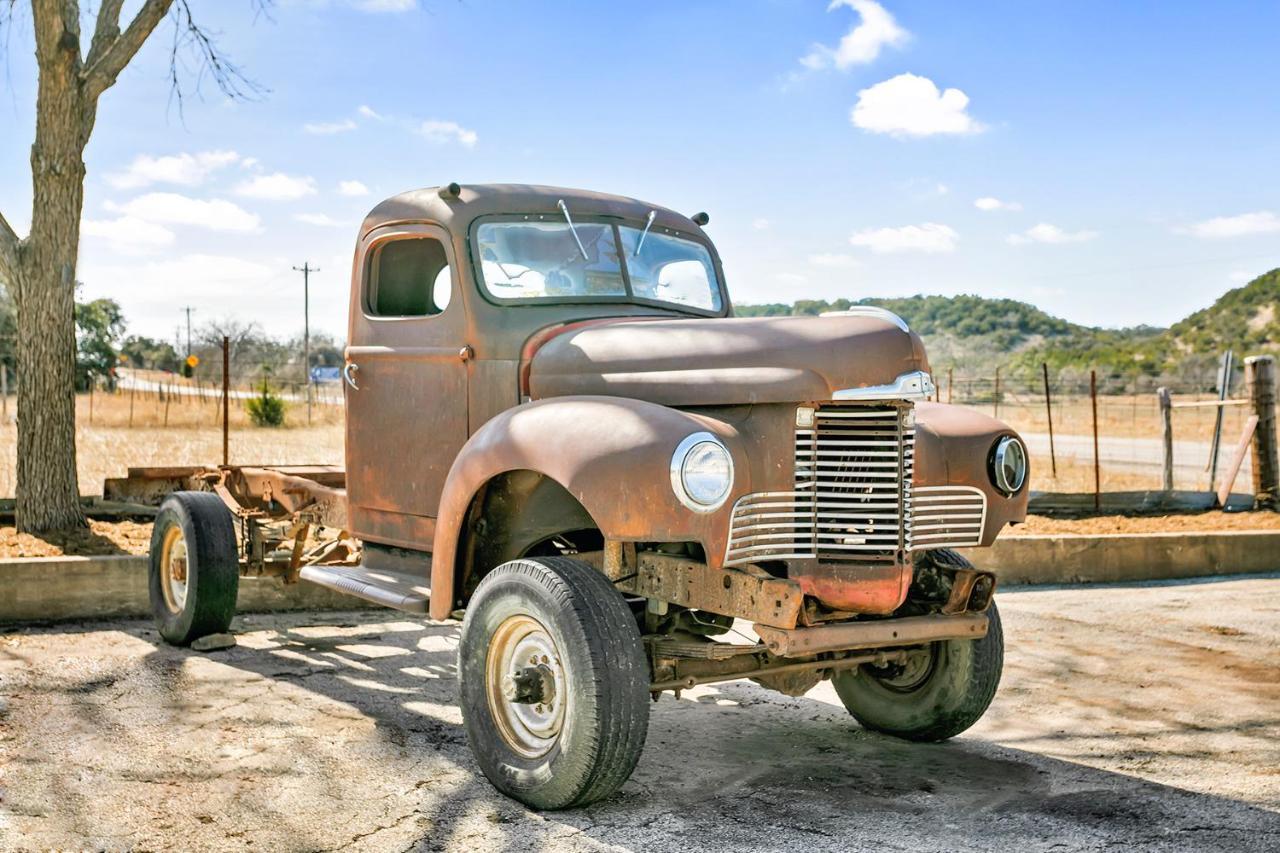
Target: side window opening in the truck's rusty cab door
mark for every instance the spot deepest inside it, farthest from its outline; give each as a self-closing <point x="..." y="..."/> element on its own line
<point x="409" y="279"/>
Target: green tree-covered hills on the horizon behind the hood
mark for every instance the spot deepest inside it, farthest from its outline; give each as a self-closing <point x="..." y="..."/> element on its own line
<point x="973" y="334"/>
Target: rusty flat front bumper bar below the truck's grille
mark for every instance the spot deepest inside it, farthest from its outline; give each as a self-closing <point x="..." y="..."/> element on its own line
<point x="912" y="631"/>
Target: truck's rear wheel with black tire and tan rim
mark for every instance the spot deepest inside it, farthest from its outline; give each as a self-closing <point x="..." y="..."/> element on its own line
<point x="195" y="568"/>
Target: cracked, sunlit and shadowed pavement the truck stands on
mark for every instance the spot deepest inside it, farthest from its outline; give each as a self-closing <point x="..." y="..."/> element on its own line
<point x="1131" y="718"/>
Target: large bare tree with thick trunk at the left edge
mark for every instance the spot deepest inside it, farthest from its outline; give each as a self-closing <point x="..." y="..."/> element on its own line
<point x="42" y="267"/>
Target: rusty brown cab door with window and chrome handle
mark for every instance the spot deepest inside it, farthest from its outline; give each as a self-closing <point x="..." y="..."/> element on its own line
<point x="406" y="384"/>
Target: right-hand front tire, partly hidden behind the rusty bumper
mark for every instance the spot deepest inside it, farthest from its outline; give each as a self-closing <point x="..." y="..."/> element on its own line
<point x="938" y="695"/>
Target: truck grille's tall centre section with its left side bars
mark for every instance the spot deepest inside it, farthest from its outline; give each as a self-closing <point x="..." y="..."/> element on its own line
<point x="852" y="499"/>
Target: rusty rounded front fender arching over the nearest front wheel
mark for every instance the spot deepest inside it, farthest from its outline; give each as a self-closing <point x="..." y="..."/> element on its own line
<point x="611" y="454"/>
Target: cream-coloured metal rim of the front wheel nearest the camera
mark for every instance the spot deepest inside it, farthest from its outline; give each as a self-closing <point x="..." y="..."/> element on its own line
<point x="524" y="647"/>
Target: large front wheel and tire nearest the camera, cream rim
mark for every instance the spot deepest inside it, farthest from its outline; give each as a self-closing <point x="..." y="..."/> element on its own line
<point x="555" y="683"/>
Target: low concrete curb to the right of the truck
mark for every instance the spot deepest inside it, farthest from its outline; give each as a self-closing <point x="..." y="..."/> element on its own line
<point x="1071" y="559"/>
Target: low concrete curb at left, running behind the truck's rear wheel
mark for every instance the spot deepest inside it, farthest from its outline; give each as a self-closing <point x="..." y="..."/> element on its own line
<point x="38" y="590"/>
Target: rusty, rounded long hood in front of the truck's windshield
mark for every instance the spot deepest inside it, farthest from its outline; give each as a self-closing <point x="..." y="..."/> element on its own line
<point x="725" y="361"/>
